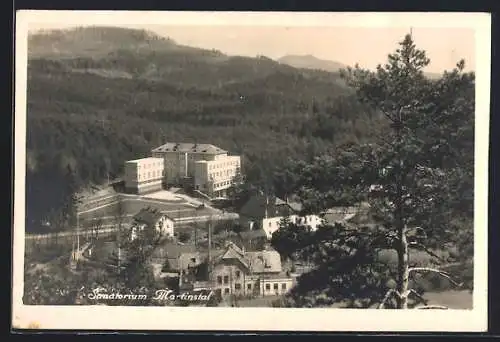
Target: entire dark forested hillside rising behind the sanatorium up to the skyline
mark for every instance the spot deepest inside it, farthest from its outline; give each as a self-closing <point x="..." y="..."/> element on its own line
<point x="99" y="96"/>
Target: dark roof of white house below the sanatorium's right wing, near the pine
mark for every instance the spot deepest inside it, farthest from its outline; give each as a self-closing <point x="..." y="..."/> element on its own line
<point x="256" y="207"/>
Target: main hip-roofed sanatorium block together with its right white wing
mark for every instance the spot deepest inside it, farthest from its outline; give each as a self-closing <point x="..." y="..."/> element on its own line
<point x="209" y="168"/>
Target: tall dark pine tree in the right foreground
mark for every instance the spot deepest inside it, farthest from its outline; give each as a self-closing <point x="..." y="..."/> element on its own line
<point x="417" y="179"/>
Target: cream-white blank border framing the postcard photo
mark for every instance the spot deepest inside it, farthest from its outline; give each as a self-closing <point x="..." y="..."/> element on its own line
<point x="261" y="319"/>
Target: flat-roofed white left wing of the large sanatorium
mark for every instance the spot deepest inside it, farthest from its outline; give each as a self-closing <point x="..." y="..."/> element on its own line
<point x="143" y="175"/>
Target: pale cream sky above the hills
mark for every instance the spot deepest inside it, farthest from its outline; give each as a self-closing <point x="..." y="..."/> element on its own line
<point x="368" y="46"/>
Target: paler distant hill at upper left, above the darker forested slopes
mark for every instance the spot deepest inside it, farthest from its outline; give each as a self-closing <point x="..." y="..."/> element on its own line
<point x="131" y="53"/>
